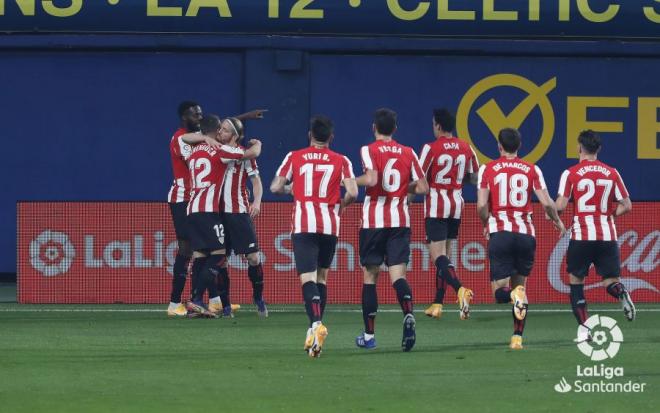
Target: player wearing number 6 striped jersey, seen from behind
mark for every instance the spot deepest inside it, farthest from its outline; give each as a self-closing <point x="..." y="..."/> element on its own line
<point x="391" y="171"/>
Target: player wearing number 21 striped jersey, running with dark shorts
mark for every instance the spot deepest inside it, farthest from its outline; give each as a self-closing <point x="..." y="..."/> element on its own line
<point x="447" y="162"/>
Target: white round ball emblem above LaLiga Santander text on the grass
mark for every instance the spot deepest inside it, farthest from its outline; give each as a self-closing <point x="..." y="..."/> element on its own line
<point x="606" y="338"/>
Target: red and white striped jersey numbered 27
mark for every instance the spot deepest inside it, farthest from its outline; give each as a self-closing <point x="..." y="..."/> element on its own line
<point x="595" y="188"/>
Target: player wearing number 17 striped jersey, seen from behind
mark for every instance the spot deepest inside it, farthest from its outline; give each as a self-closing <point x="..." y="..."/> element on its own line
<point x="316" y="174"/>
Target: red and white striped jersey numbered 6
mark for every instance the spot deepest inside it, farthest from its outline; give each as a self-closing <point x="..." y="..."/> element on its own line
<point x="386" y="203"/>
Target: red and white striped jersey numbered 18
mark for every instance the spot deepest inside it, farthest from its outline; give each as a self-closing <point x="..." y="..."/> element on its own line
<point x="511" y="183"/>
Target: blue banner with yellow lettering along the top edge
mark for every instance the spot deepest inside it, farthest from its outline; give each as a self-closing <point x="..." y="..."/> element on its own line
<point x="454" y="18"/>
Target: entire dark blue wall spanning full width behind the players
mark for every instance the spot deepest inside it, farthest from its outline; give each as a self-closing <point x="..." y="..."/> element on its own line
<point x="85" y="126"/>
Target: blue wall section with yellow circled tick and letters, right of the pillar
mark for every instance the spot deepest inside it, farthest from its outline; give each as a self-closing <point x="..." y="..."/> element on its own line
<point x="549" y="99"/>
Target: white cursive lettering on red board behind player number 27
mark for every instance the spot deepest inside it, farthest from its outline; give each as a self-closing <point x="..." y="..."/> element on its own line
<point x="634" y="263"/>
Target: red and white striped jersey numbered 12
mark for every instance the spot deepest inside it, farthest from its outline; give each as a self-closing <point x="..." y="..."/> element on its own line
<point x="207" y="173"/>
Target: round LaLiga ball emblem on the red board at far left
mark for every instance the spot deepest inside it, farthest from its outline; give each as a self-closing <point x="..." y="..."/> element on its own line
<point x="51" y="253"/>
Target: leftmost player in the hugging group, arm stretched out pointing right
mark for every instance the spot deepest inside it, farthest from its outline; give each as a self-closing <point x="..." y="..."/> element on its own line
<point x="190" y="114"/>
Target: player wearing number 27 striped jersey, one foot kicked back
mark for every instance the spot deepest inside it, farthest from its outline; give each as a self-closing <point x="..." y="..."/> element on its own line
<point x="599" y="195"/>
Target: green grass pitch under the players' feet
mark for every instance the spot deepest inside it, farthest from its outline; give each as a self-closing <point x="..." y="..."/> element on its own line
<point x="67" y="359"/>
